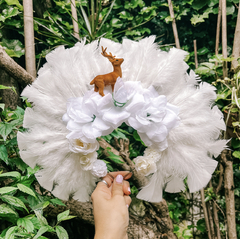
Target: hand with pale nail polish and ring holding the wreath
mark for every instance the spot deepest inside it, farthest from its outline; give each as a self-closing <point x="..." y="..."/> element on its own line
<point x="110" y="207"/>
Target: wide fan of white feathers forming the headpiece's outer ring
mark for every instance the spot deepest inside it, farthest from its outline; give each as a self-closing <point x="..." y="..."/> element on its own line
<point x="186" y="150"/>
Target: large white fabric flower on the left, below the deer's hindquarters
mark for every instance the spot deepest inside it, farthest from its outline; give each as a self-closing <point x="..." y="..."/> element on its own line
<point x="84" y="117"/>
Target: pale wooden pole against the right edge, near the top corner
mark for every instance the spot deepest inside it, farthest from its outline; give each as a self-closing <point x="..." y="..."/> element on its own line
<point x="236" y="42"/>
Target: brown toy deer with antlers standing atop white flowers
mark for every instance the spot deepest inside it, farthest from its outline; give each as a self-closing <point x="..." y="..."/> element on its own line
<point x="101" y="81"/>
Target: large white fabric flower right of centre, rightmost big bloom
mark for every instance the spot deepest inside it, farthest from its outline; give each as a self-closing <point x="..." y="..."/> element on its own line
<point x="154" y="119"/>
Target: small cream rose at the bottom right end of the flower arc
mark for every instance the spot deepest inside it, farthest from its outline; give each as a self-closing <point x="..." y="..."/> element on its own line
<point x="145" y="165"/>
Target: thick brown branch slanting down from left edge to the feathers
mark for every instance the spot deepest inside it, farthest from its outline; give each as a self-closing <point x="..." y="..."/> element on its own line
<point x="13" y="69"/>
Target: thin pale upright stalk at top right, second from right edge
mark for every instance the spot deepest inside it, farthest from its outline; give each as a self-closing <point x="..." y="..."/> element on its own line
<point x="224" y="37"/>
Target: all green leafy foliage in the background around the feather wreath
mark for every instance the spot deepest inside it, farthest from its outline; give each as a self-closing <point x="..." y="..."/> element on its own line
<point x="21" y="206"/>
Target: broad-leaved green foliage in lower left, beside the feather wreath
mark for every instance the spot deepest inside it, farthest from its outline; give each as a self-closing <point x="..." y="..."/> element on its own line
<point x="20" y="205"/>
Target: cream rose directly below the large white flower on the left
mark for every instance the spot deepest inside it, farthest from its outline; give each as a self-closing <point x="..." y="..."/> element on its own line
<point x="77" y="146"/>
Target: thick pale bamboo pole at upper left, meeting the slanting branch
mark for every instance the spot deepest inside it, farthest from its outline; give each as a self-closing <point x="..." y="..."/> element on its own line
<point x="29" y="37"/>
